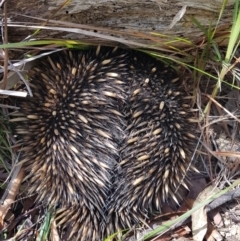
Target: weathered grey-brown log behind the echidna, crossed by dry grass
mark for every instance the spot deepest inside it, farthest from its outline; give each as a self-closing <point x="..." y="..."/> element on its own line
<point x="128" y="16"/>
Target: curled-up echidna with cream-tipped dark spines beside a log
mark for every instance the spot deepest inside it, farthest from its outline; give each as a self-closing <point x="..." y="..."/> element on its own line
<point x="106" y="137"/>
